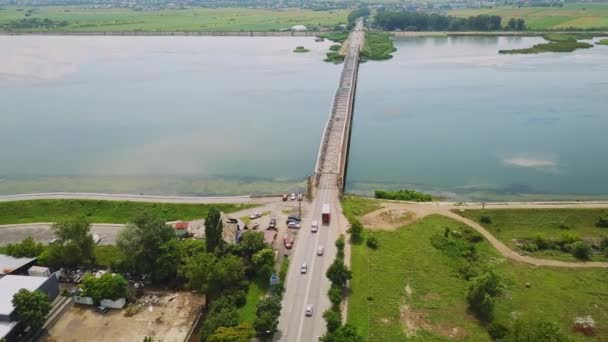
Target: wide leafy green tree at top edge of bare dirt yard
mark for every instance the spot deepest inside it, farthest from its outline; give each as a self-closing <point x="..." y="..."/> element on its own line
<point x="108" y="286"/>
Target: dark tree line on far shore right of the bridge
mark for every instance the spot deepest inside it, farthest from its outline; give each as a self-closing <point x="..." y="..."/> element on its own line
<point x="414" y="21"/>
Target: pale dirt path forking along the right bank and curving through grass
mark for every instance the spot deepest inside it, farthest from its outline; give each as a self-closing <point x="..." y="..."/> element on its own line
<point x="416" y="211"/>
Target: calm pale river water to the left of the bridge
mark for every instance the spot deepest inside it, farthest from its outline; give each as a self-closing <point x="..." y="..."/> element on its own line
<point x="161" y="109"/>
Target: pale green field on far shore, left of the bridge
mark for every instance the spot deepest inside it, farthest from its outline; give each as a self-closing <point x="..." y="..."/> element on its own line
<point x="194" y="19"/>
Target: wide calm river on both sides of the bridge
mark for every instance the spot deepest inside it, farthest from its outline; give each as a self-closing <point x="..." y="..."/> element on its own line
<point x="232" y="115"/>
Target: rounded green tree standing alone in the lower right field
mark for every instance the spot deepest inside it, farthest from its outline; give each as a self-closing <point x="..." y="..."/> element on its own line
<point x="481" y="295"/>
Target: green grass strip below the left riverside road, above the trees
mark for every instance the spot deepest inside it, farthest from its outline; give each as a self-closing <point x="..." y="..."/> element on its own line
<point x="103" y="211"/>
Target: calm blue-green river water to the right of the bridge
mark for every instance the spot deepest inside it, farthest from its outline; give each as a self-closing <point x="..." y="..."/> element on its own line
<point x="453" y="116"/>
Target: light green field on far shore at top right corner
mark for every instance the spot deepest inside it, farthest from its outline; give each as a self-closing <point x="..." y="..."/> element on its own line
<point x="579" y="16"/>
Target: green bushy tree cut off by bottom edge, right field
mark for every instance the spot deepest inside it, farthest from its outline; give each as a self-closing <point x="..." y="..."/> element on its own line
<point x="536" y="331"/>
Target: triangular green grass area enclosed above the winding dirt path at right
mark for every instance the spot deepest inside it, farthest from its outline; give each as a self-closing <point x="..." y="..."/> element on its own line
<point x="510" y="224"/>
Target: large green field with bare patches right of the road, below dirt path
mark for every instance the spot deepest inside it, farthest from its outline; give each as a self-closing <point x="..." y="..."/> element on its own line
<point x="407" y="279"/>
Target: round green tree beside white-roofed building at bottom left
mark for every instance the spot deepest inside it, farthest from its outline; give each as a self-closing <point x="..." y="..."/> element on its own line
<point x="31" y="307"/>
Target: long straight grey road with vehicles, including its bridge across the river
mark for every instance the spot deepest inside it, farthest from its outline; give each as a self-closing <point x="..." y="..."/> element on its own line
<point x="311" y="288"/>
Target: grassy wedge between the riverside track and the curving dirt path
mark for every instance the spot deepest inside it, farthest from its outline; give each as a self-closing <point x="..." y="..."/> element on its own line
<point x="542" y="226"/>
